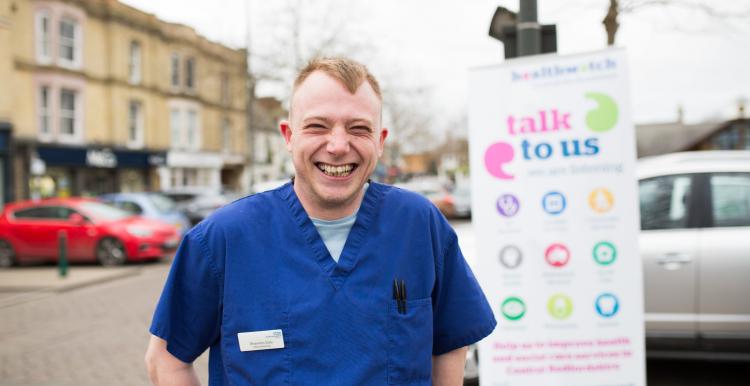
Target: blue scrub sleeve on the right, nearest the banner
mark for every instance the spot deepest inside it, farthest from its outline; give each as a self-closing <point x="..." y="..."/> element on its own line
<point x="461" y="314"/>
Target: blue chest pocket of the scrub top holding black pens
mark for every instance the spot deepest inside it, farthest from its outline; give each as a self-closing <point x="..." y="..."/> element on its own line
<point x="410" y="342"/>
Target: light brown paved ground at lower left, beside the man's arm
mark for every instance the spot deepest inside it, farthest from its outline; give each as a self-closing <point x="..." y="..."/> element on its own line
<point x="91" y="336"/>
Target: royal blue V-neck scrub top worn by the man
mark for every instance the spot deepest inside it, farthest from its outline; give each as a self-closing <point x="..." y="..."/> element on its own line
<point x="259" y="264"/>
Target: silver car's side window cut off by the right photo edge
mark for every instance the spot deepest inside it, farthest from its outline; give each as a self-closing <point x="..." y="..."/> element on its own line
<point x="730" y="199"/>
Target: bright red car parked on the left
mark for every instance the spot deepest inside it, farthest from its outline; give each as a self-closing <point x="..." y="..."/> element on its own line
<point x="95" y="231"/>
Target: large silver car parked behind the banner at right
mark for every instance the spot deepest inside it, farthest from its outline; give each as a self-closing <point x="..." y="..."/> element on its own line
<point x="695" y="246"/>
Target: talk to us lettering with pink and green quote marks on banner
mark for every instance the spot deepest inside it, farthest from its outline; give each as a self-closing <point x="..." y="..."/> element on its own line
<point x="600" y="119"/>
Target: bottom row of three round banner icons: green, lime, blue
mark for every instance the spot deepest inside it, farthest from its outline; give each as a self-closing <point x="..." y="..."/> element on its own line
<point x="560" y="306"/>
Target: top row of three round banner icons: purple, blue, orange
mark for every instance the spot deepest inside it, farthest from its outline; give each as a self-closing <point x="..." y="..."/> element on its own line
<point x="600" y="200"/>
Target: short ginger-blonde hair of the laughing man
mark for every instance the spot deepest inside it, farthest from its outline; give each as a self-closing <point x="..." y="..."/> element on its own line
<point x="349" y="72"/>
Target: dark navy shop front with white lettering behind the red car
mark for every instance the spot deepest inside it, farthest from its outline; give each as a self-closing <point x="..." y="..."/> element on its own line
<point x="62" y="171"/>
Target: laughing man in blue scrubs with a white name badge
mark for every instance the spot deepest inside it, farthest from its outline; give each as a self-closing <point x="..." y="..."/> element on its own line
<point x="329" y="279"/>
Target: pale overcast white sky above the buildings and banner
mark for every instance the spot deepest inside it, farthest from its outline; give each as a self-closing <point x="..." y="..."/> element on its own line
<point x="677" y="56"/>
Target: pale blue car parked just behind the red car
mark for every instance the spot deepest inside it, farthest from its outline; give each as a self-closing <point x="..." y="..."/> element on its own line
<point x="150" y="205"/>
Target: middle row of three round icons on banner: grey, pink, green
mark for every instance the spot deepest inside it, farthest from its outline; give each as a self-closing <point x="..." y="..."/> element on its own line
<point x="558" y="255"/>
